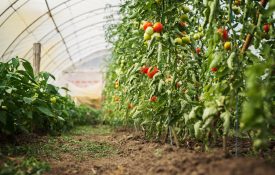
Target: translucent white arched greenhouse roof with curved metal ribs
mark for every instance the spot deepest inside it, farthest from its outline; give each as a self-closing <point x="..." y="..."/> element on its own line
<point x="71" y="32"/>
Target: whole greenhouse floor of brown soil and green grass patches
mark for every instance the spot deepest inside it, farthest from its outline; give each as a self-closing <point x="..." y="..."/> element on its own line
<point x="89" y="150"/>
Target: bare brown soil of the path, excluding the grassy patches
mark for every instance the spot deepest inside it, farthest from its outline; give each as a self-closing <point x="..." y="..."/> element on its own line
<point x="134" y="155"/>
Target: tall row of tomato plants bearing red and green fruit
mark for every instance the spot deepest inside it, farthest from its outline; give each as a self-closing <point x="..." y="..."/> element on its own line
<point x="194" y="69"/>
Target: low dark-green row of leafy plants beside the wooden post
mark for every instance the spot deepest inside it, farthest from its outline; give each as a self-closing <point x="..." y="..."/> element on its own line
<point x="29" y="103"/>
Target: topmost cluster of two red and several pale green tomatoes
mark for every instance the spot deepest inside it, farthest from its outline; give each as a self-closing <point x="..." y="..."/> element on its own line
<point x="151" y="30"/>
